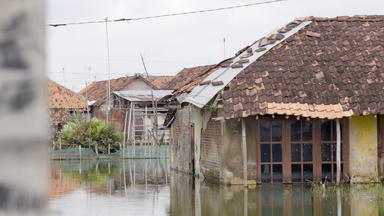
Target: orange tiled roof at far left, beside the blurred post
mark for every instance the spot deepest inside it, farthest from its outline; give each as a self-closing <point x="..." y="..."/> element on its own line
<point x="63" y="98"/>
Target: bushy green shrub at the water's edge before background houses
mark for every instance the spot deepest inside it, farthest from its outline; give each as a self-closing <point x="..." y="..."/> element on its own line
<point x="93" y="134"/>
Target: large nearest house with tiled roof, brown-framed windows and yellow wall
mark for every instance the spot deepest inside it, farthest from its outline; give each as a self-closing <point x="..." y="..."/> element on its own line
<point x="276" y="111"/>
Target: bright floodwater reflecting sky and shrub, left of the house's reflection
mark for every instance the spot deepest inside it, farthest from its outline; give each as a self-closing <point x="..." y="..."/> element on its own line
<point x="126" y="187"/>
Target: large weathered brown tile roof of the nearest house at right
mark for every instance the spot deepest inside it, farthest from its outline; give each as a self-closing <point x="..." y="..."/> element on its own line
<point x="331" y="68"/>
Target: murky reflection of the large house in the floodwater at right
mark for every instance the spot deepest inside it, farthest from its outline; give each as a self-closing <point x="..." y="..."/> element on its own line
<point x="199" y="198"/>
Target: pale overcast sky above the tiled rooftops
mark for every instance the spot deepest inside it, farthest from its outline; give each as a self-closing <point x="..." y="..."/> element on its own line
<point x="167" y="44"/>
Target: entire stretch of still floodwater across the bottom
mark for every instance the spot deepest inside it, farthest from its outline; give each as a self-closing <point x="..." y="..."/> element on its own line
<point x="148" y="187"/>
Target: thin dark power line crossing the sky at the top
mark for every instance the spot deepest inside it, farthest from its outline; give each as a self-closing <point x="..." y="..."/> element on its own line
<point x="164" y="15"/>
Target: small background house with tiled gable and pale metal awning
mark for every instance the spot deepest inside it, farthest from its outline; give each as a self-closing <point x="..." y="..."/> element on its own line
<point x="131" y="104"/>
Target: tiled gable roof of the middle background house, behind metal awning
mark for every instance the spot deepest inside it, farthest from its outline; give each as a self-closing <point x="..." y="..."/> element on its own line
<point x="97" y="91"/>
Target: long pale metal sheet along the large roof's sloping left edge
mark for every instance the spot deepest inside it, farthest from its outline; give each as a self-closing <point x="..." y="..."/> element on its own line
<point x="202" y="94"/>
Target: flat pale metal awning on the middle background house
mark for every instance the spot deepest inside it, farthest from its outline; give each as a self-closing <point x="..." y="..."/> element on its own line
<point x="143" y="95"/>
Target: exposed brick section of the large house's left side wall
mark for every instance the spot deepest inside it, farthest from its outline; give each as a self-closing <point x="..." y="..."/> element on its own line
<point x="211" y="144"/>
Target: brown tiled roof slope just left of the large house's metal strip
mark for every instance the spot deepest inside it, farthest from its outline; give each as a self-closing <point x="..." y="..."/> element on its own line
<point x="188" y="78"/>
